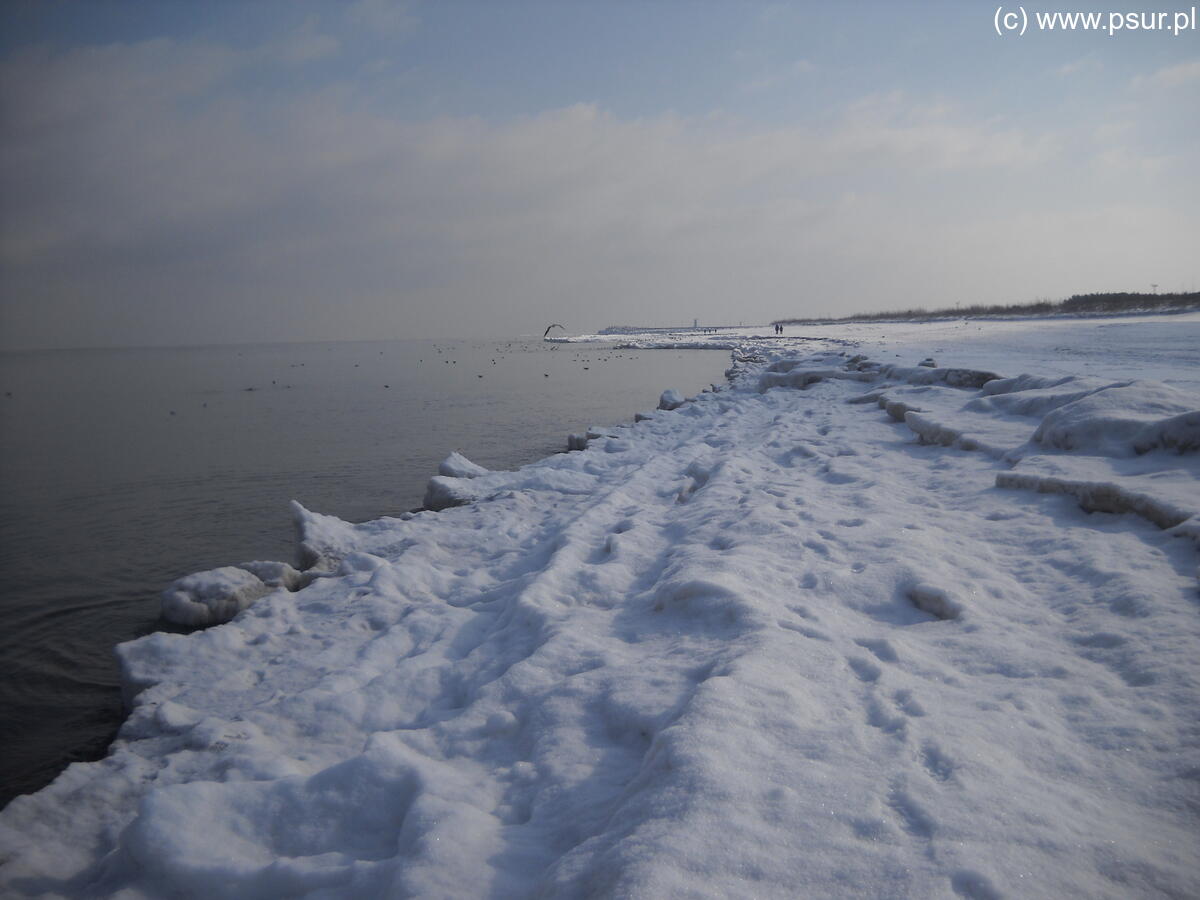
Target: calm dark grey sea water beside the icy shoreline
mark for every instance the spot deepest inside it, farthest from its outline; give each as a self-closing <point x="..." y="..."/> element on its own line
<point x="124" y="470"/>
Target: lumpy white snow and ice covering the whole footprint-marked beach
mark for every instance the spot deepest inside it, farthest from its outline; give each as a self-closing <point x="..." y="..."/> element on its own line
<point x="842" y="628"/>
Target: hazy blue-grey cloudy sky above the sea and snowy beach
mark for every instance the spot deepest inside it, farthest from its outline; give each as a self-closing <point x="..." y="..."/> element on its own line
<point x="185" y="173"/>
